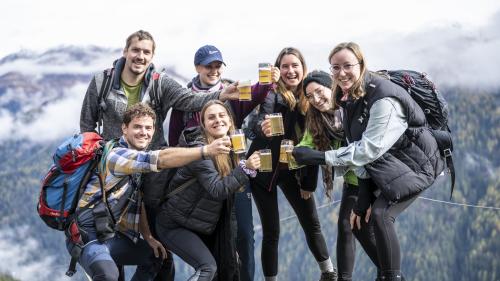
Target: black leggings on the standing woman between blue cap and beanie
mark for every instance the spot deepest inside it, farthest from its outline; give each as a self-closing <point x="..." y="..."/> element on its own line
<point x="267" y="205"/>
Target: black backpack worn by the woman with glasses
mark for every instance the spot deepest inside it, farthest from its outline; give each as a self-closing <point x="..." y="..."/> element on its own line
<point x="426" y="95"/>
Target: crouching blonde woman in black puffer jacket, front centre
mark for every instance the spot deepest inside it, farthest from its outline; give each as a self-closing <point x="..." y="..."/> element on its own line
<point x="195" y="221"/>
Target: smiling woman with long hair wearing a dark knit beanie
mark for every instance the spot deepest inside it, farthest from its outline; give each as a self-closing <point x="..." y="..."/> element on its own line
<point x="324" y="132"/>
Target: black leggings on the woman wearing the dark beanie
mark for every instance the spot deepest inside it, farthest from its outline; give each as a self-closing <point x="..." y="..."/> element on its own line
<point x="346" y="245"/>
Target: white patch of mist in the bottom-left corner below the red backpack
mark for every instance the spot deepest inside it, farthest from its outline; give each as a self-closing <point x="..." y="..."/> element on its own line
<point x="17" y="257"/>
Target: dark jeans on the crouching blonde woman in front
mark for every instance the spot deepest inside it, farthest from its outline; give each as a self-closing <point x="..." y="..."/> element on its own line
<point x="190" y="247"/>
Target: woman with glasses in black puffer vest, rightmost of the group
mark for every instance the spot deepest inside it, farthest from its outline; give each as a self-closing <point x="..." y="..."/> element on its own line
<point x="389" y="143"/>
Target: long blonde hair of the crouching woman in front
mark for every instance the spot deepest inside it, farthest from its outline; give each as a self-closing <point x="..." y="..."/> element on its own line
<point x="222" y="161"/>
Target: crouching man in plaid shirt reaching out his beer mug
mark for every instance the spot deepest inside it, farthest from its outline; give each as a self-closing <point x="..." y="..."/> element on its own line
<point x="110" y="226"/>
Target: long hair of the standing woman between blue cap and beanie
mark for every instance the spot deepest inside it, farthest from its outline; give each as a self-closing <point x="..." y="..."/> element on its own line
<point x="289" y="96"/>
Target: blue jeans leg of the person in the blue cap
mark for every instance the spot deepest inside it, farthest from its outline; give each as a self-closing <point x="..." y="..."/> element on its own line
<point x="244" y="238"/>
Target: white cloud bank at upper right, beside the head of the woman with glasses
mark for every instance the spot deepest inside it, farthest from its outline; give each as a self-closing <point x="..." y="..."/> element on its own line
<point x="454" y="55"/>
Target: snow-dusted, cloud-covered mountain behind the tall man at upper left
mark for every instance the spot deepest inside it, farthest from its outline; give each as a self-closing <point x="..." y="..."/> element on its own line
<point x="41" y="93"/>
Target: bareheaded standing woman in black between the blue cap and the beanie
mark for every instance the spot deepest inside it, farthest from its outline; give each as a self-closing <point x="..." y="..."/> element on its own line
<point x="288" y="99"/>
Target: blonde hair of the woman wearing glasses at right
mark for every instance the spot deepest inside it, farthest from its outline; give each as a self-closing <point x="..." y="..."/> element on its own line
<point x="357" y="90"/>
